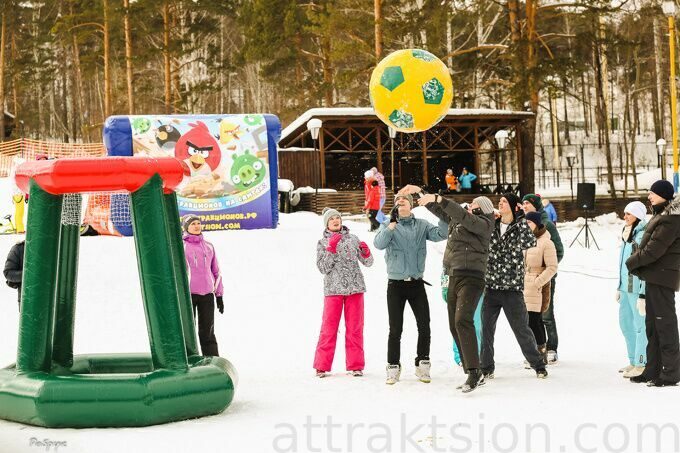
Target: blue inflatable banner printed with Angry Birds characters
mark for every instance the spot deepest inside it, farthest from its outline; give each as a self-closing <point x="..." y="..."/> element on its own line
<point x="229" y="161"/>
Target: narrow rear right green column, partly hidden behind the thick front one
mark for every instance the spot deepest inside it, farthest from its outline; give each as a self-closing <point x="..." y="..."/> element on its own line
<point x="181" y="277"/>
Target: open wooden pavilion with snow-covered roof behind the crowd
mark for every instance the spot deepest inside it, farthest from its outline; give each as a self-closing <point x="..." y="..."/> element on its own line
<point x="352" y="140"/>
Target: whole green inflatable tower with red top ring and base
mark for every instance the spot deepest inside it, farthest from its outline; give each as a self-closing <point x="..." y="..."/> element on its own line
<point x="49" y="386"/>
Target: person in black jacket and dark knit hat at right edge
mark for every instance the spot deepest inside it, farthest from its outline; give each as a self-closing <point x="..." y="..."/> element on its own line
<point x="657" y="262"/>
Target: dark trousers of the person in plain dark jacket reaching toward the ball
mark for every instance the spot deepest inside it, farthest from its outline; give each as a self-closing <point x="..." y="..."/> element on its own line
<point x="462" y="299"/>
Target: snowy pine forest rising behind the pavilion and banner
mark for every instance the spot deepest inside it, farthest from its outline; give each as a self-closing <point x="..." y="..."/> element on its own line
<point x="65" y="65"/>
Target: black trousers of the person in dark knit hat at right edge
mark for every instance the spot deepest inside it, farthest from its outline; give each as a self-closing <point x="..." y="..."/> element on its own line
<point x="661" y="322"/>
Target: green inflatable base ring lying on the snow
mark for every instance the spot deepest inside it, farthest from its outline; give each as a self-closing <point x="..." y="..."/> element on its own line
<point x="116" y="390"/>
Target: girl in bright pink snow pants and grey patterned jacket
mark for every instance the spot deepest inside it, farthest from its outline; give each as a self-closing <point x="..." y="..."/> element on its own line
<point x="338" y="254"/>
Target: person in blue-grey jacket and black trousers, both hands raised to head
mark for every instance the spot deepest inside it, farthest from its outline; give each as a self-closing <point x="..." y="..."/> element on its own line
<point x="403" y="237"/>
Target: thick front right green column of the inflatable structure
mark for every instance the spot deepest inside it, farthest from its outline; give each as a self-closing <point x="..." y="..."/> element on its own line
<point x="154" y="258"/>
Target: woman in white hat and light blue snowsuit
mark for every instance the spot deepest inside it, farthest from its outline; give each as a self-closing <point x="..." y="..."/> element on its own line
<point x="631" y="290"/>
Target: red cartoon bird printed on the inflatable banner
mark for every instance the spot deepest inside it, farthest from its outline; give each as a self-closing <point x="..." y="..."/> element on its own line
<point x="199" y="150"/>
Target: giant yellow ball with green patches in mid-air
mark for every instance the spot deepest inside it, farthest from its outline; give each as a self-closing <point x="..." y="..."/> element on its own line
<point x="411" y="90"/>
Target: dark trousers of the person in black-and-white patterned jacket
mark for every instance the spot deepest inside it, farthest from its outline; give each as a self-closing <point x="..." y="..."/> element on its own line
<point x="512" y="303"/>
